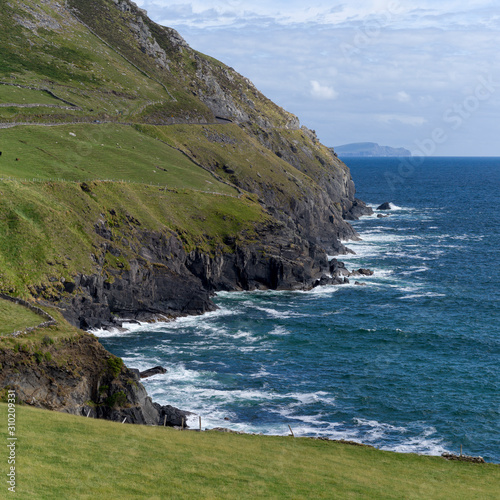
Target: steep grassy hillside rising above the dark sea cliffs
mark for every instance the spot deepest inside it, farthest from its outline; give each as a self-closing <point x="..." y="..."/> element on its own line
<point x="85" y="68"/>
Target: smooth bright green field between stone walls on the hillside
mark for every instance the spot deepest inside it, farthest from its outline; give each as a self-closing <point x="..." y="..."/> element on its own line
<point x="81" y="152"/>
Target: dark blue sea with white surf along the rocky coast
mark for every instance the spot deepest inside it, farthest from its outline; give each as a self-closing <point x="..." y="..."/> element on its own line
<point x="409" y="362"/>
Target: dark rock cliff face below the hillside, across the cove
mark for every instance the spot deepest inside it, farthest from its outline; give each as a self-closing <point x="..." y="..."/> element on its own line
<point x="163" y="281"/>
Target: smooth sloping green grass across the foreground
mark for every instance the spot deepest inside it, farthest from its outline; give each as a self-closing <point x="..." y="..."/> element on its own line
<point x="62" y="456"/>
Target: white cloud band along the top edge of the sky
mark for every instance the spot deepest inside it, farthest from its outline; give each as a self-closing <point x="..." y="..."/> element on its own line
<point x="447" y="14"/>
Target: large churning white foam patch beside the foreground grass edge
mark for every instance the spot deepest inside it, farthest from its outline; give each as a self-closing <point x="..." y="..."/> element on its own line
<point x="183" y="387"/>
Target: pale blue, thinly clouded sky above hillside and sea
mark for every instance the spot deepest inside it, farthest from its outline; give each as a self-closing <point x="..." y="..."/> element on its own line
<point x="423" y="75"/>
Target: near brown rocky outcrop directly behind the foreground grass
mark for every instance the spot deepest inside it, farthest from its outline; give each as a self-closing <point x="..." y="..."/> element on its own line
<point x="79" y="376"/>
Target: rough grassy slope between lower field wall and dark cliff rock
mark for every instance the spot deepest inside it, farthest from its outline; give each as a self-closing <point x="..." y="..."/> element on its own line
<point x="47" y="229"/>
